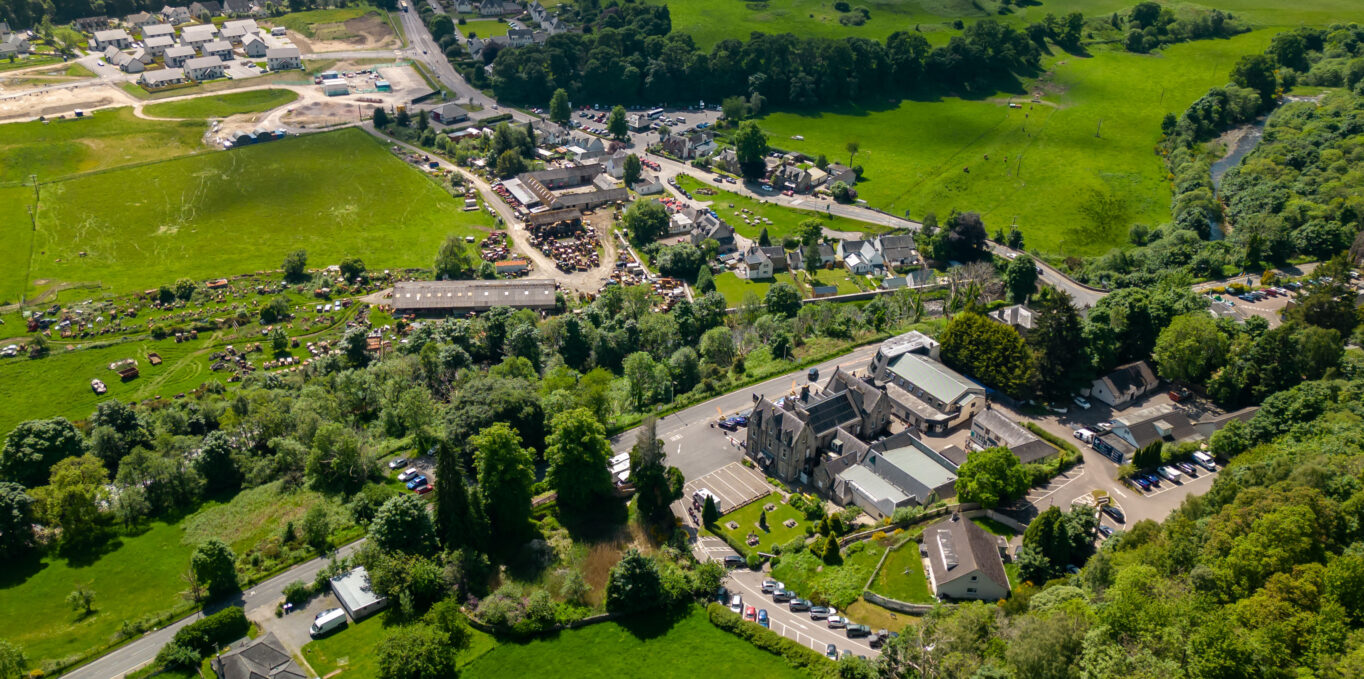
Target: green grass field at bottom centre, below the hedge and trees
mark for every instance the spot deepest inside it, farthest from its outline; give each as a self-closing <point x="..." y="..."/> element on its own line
<point x="647" y="647"/>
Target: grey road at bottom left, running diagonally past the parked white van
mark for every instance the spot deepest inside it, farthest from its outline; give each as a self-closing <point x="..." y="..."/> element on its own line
<point x="143" y="651"/>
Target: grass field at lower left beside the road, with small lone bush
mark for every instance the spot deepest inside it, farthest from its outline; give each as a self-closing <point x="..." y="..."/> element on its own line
<point x="140" y="577"/>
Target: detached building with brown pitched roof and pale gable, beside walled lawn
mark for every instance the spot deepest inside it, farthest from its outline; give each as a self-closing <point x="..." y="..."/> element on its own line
<point x="964" y="561"/>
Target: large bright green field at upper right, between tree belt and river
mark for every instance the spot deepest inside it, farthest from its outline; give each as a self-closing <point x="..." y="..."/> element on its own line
<point x="1071" y="193"/>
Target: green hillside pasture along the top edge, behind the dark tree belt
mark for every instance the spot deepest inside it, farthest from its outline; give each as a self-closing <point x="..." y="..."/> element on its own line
<point x="711" y="21"/>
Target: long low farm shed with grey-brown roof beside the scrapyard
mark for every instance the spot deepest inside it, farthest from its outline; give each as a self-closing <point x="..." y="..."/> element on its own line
<point x="441" y="298"/>
